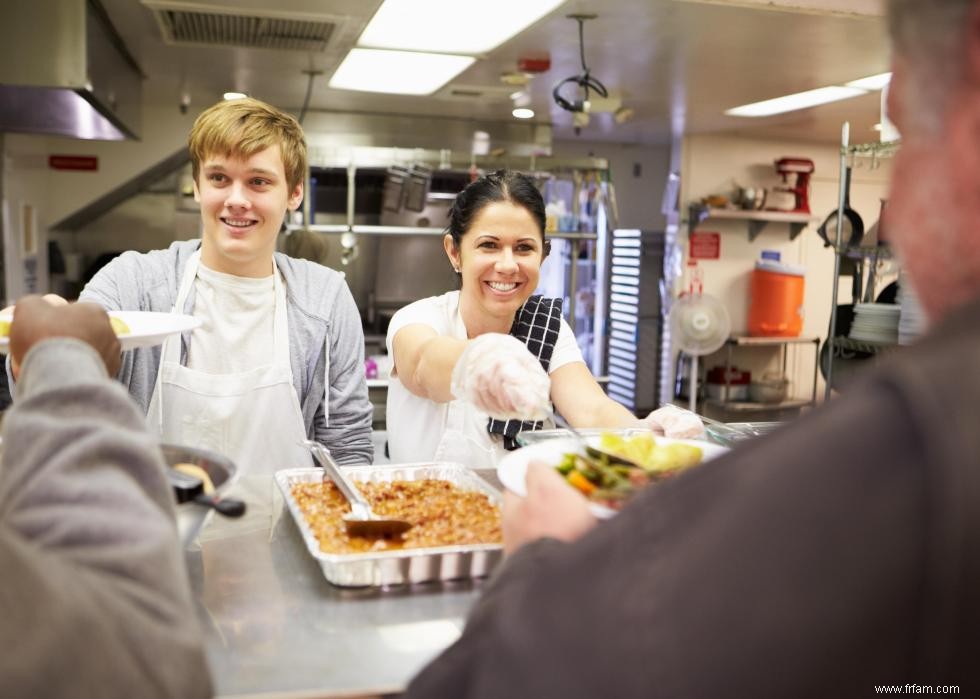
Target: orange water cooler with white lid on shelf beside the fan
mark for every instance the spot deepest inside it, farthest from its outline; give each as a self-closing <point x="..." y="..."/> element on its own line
<point x="776" y="299"/>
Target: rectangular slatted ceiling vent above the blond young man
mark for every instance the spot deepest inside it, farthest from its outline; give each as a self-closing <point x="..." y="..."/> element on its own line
<point x="208" y="28"/>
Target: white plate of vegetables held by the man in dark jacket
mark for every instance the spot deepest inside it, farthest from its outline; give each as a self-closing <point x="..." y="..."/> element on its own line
<point x="618" y="467"/>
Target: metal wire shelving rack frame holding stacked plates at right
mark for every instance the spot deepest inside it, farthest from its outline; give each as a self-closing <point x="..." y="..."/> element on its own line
<point x="848" y="152"/>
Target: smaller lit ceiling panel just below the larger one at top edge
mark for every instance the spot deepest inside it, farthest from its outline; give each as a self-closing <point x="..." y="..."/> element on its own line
<point x="397" y="72"/>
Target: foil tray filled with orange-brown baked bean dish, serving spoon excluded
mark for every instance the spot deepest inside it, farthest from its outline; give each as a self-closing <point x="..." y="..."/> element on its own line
<point x="455" y="513"/>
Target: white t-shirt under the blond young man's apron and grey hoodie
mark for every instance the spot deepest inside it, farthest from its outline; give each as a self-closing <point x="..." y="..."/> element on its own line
<point x="238" y="323"/>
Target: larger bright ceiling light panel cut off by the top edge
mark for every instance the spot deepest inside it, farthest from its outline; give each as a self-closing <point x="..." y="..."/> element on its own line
<point x="451" y="26"/>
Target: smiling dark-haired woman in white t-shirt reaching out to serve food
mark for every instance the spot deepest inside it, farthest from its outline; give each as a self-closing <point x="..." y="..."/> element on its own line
<point x="475" y="366"/>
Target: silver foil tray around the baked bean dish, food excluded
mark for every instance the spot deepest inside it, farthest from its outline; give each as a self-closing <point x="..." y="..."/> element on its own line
<point x="405" y="566"/>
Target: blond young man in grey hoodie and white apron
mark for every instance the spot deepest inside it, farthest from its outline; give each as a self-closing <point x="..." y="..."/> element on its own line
<point x="279" y="355"/>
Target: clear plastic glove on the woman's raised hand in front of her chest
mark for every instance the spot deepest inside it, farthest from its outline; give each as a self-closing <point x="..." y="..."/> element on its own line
<point x="498" y="375"/>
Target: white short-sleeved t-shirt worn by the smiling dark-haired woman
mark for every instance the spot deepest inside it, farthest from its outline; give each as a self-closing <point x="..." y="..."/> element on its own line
<point x="415" y="425"/>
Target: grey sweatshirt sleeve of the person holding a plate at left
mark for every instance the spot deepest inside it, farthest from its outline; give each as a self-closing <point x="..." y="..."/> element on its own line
<point x="94" y="594"/>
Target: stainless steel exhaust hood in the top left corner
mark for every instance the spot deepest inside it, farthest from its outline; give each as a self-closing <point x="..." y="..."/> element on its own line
<point x="65" y="71"/>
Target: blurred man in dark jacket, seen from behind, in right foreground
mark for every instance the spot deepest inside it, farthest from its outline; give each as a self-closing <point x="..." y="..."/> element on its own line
<point x="838" y="555"/>
